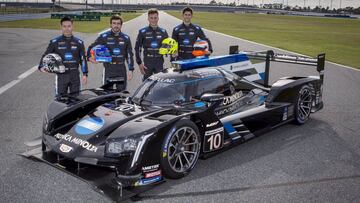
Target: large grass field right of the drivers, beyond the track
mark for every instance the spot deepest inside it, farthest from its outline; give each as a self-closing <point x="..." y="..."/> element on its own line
<point x="338" y="38"/>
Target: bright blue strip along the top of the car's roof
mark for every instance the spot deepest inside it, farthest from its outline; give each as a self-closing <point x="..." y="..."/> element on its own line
<point x="211" y="62"/>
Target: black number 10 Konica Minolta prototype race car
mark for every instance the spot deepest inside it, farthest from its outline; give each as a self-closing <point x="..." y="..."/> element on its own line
<point x="194" y="109"/>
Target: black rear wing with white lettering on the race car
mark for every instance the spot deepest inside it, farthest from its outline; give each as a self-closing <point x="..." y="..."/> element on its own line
<point x="269" y="55"/>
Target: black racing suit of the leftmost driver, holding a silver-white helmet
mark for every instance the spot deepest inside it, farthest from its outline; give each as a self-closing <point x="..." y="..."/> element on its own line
<point x="72" y="52"/>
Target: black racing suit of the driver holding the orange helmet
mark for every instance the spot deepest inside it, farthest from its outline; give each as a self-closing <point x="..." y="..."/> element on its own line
<point x="186" y="36"/>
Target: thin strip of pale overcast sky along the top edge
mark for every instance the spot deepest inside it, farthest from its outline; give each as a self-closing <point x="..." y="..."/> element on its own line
<point x="311" y="3"/>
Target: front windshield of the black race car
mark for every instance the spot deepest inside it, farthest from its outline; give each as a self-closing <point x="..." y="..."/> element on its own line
<point x="160" y="93"/>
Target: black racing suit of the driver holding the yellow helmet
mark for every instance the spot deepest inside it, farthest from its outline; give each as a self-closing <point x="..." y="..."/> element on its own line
<point x="150" y="39"/>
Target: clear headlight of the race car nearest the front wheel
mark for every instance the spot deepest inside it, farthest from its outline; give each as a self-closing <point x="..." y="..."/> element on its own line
<point x="117" y="147"/>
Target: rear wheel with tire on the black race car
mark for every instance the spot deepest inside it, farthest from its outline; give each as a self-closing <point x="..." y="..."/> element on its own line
<point x="303" y="105"/>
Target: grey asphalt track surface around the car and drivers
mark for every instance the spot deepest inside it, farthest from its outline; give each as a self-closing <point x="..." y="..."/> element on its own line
<point x="316" y="162"/>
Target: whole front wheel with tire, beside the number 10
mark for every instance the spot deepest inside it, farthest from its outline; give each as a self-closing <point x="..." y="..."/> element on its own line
<point x="180" y="150"/>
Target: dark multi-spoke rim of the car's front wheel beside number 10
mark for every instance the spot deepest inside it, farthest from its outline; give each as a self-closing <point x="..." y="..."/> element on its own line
<point x="184" y="149"/>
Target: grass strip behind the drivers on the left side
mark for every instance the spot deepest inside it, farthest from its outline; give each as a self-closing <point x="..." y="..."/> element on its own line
<point x="54" y="24"/>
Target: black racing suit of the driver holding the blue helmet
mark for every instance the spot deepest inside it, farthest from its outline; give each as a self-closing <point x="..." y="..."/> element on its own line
<point x="120" y="48"/>
